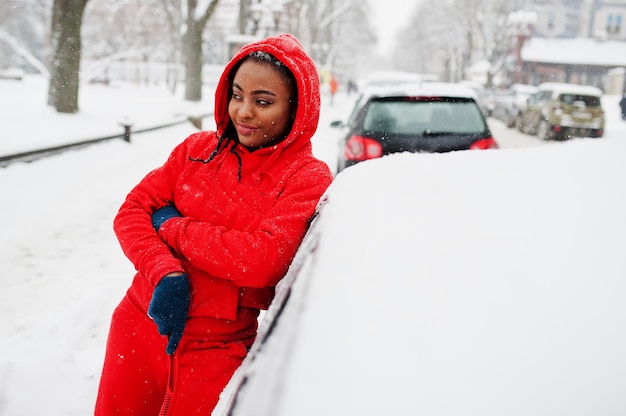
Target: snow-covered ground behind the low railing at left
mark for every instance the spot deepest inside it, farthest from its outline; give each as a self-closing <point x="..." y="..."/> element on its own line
<point x="28" y="123"/>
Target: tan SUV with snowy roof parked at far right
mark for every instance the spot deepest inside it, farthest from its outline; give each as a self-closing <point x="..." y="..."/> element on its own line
<point x="561" y="111"/>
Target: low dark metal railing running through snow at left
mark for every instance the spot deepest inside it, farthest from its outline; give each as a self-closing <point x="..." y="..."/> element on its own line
<point x="32" y="155"/>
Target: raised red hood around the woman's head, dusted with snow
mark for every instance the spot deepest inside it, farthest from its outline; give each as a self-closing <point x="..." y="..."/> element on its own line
<point x="290" y="52"/>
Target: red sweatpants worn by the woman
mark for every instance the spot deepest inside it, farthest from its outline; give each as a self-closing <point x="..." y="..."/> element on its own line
<point x="138" y="378"/>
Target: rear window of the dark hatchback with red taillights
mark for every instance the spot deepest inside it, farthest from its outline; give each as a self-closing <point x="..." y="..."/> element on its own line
<point x="419" y="116"/>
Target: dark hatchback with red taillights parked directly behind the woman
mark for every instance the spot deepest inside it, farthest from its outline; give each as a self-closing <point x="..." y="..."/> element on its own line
<point x="429" y="117"/>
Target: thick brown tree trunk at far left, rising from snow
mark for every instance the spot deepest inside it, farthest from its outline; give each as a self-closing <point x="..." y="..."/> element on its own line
<point x="67" y="17"/>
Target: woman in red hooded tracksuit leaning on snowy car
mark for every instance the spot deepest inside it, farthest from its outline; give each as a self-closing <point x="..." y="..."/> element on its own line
<point x="211" y="232"/>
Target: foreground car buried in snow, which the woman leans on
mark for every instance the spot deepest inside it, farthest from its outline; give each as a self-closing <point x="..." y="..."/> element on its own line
<point x="440" y="285"/>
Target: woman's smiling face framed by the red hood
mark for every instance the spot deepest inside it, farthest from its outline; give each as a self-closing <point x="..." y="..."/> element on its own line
<point x="260" y="105"/>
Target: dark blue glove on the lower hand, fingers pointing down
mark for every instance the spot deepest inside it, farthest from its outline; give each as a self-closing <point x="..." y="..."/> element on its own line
<point x="169" y="307"/>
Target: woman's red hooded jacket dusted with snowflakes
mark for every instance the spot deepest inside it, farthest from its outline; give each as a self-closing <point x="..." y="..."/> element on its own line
<point x="236" y="236"/>
